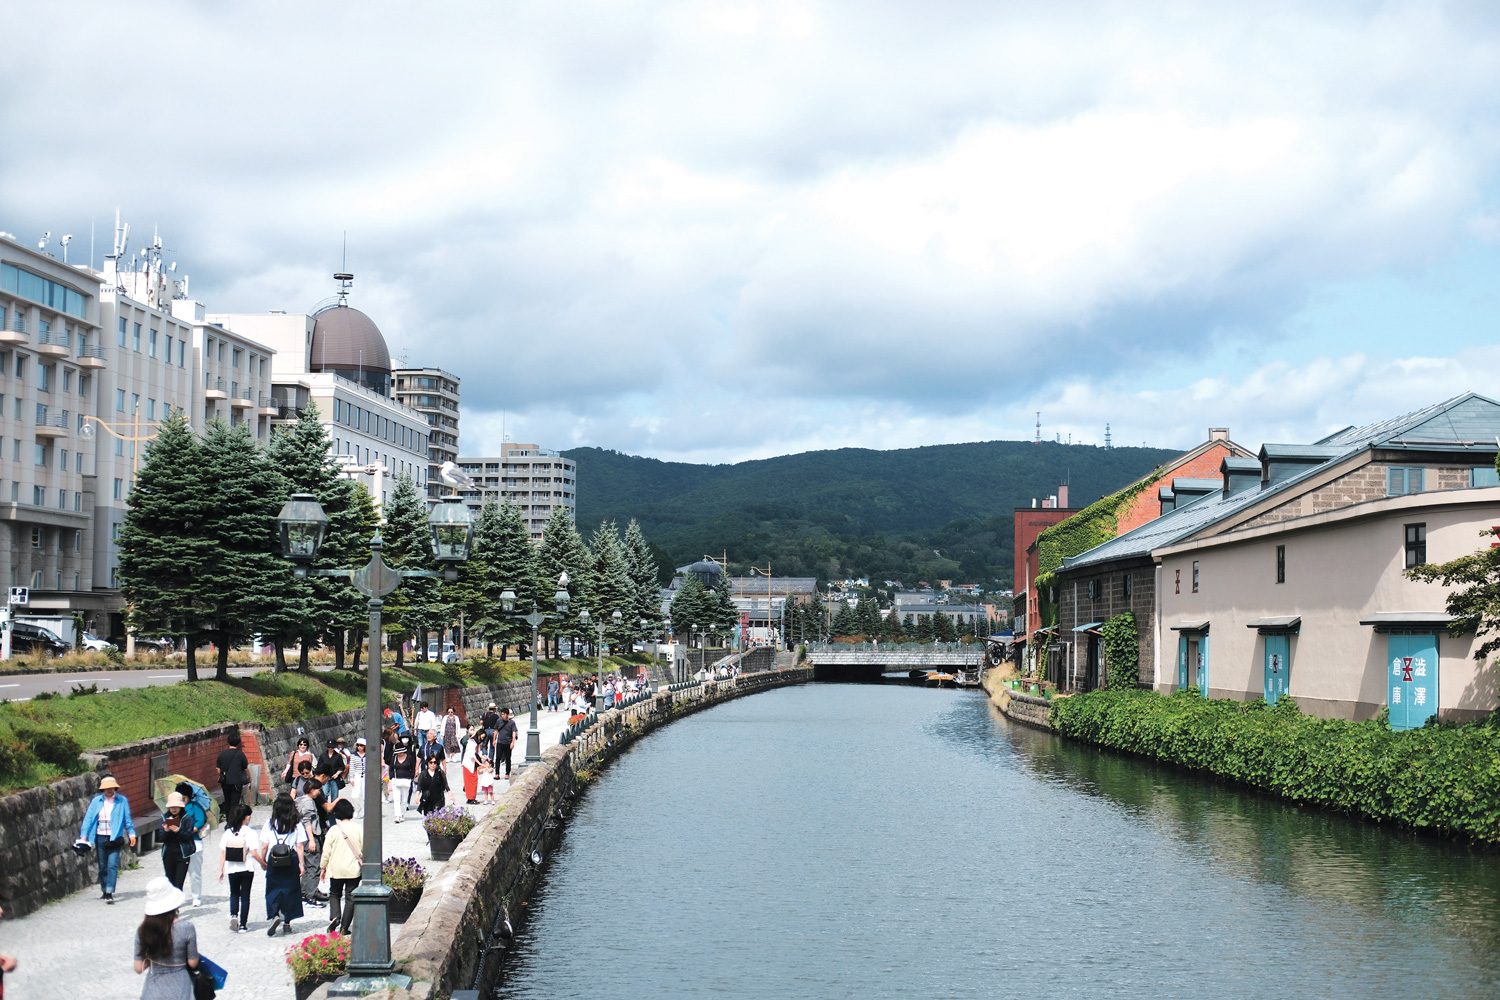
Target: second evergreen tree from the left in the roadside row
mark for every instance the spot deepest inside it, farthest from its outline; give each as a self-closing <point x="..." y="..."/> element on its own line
<point x="248" y="581"/>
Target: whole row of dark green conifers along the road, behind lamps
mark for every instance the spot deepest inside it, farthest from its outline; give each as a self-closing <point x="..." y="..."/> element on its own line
<point x="200" y="557"/>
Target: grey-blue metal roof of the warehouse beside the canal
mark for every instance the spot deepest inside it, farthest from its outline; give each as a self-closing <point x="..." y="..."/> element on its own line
<point x="1468" y="421"/>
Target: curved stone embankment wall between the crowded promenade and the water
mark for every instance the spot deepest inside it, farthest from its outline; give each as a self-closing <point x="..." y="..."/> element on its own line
<point x="451" y="942"/>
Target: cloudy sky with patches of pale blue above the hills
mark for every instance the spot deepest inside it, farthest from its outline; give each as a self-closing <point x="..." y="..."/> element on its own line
<point x="719" y="232"/>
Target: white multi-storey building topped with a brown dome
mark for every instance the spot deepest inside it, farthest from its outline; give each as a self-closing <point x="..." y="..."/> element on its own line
<point x="337" y="361"/>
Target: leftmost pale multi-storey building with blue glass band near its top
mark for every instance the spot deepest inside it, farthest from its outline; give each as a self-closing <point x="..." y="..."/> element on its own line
<point x="50" y="356"/>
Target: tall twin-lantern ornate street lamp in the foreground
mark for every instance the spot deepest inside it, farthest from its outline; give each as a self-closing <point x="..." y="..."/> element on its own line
<point x="304" y="525"/>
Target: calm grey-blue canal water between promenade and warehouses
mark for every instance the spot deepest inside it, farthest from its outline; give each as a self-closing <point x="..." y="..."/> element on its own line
<point x="893" y="842"/>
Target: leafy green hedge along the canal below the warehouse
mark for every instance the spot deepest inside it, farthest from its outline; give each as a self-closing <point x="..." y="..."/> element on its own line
<point x="1444" y="779"/>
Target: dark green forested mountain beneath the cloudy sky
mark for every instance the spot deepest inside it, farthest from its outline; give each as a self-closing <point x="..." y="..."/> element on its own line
<point x="943" y="512"/>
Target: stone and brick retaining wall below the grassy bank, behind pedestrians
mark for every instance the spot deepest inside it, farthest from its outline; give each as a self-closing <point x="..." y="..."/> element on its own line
<point x="38" y="827"/>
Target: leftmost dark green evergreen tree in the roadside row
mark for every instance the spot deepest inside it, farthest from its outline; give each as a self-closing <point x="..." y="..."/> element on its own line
<point x="164" y="543"/>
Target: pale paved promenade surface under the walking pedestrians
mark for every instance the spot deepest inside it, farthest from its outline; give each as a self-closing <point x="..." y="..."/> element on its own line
<point x="83" y="948"/>
